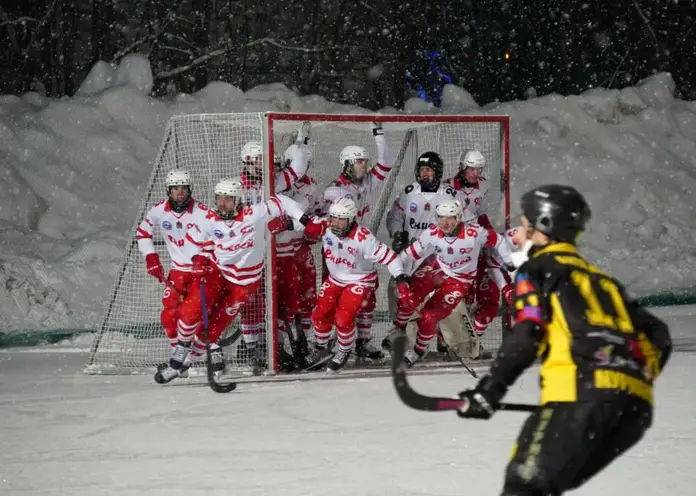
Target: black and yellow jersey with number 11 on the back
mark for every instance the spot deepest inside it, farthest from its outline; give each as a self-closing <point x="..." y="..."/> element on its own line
<point x="591" y="338"/>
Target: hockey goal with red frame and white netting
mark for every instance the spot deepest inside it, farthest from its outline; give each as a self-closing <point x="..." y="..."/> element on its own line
<point x="208" y="146"/>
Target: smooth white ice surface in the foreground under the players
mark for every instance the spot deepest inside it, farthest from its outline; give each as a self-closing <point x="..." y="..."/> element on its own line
<point x="66" y="433"/>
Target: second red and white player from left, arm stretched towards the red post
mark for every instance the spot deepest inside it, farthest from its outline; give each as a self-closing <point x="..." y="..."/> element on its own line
<point x="231" y="250"/>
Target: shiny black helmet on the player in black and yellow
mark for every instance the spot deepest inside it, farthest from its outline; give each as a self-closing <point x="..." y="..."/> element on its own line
<point x="560" y="212"/>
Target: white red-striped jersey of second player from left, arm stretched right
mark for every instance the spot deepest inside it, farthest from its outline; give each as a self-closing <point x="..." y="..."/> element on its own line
<point x="238" y="245"/>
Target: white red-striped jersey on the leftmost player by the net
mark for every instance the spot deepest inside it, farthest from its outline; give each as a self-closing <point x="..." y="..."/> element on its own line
<point x="173" y="227"/>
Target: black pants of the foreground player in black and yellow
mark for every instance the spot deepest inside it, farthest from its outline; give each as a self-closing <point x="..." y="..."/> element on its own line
<point x="563" y="445"/>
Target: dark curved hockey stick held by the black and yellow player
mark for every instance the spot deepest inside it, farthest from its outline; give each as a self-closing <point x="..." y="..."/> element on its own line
<point x="417" y="401"/>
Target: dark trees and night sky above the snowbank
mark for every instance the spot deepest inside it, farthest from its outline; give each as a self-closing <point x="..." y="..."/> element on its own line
<point x="353" y="51"/>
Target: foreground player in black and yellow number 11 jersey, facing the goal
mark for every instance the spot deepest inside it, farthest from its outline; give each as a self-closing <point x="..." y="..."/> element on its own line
<point x="600" y="354"/>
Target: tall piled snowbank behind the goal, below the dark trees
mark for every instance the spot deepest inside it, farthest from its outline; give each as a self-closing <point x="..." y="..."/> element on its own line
<point x="74" y="171"/>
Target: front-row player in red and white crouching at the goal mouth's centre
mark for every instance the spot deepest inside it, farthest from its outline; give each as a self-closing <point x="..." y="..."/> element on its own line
<point x="351" y="252"/>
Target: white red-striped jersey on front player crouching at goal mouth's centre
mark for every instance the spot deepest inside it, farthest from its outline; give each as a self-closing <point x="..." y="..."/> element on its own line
<point x="351" y="259"/>
